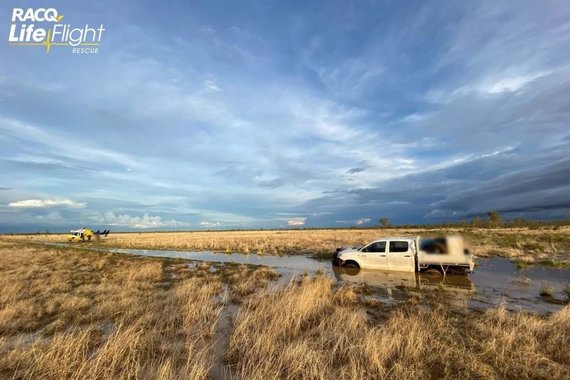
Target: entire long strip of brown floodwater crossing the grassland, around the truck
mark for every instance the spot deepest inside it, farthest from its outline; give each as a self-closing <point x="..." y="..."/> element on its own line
<point x="495" y="280"/>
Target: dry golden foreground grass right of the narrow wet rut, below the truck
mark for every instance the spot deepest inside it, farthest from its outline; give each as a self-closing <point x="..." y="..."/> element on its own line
<point x="311" y="330"/>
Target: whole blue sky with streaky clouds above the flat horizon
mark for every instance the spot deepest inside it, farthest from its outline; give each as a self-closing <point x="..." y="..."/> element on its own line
<point x="286" y="114"/>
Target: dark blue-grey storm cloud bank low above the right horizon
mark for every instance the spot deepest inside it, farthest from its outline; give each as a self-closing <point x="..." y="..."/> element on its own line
<point x="449" y="194"/>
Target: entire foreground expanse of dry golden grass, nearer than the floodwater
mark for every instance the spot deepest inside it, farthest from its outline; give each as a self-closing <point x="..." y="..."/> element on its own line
<point x="68" y="313"/>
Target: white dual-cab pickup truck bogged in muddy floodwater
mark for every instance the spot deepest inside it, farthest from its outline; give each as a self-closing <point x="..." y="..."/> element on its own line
<point x="404" y="254"/>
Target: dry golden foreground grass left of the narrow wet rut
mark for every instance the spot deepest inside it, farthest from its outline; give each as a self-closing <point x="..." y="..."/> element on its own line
<point x="79" y="314"/>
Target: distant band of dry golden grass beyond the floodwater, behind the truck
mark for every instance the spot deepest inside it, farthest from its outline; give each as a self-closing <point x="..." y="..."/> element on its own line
<point x="503" y="242"/>
